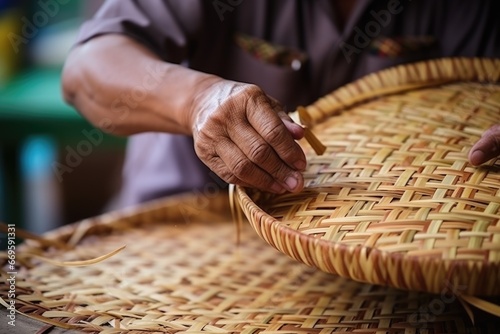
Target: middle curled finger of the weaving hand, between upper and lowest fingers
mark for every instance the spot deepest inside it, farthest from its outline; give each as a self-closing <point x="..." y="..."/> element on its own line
<point x="261" y="154"/>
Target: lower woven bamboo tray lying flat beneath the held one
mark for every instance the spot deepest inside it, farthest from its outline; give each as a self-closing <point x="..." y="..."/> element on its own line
<point x="182" y="272"/>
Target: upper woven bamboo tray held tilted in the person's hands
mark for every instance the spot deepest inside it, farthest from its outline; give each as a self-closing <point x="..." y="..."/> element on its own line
<point x="394" y="201"/>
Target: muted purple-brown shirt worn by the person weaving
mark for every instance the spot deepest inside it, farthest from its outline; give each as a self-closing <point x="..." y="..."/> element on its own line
<point x="303" y="51"/>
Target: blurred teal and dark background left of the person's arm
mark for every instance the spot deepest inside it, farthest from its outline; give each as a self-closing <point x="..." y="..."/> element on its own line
<point x="55" y="168"/>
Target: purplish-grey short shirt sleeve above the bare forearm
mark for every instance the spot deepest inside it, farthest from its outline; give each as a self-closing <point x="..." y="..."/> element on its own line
<point x="168" y="27"/>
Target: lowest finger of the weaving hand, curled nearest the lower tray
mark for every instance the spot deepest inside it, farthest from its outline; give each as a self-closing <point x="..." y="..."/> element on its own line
<point x="238" y="169"/>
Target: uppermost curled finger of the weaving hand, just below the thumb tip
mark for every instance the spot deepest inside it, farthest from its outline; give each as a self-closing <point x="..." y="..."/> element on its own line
<point x="274" y="132"/>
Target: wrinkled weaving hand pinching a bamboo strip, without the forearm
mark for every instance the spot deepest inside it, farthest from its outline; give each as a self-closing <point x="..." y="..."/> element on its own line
<point x="246" y="138"/>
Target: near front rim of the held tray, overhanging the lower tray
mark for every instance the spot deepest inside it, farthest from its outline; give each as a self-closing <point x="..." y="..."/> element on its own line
<point x="371" y="265"/>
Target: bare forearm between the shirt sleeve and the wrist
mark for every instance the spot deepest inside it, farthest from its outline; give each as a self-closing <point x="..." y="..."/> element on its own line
<point x="122" y="87"/>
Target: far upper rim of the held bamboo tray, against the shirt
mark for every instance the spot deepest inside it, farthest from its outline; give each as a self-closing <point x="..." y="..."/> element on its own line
<point x="403" y="78"/>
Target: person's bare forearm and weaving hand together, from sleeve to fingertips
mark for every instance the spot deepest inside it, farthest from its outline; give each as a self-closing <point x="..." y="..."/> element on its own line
<point x="238" y="131"/>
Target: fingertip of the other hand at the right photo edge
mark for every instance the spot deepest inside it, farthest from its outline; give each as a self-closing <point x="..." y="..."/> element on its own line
<point x="486" y="148"/>
